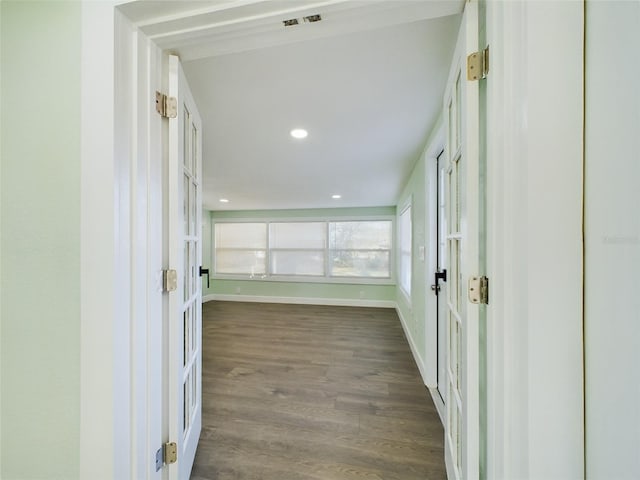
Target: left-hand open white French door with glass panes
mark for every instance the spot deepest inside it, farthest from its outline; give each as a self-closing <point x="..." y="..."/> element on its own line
<point x="185" y="253"/>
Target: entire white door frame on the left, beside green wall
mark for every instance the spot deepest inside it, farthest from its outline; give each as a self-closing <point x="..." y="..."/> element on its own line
<point x="121" y="298"/>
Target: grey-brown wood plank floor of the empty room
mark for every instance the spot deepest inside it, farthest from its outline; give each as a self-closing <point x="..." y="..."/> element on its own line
<point x="299" y="392"/>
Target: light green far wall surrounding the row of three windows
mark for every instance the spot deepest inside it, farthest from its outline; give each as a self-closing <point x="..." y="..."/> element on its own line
<point x="320" y="291"/>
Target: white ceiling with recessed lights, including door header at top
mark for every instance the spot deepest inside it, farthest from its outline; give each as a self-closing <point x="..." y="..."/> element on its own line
<point x="366" y="82"/>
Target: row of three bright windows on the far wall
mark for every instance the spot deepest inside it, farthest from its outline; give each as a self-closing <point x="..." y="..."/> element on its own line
<point x="320" y="250"/>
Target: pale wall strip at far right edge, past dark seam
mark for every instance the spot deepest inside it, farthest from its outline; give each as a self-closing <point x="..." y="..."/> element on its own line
<point x="612" y="240"/>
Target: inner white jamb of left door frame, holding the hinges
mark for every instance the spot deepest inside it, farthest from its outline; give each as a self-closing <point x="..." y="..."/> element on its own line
<point x="141" y="189"/>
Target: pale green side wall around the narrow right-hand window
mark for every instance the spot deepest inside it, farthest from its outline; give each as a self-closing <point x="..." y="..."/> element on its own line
<point x="414" y="313"/>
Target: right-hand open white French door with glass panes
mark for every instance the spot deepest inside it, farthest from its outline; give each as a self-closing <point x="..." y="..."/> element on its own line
<point x="462" y="189"/>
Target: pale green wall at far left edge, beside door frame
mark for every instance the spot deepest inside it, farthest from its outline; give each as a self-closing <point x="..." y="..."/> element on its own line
<point x="40" y="243"/>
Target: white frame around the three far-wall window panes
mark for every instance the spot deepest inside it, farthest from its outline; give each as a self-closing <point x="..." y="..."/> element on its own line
<point x="326" y="278"/>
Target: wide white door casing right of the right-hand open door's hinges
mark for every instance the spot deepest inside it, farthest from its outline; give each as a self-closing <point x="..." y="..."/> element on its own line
<point x="534" y="324"/>
